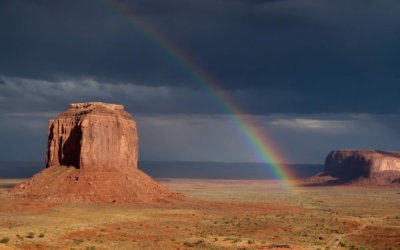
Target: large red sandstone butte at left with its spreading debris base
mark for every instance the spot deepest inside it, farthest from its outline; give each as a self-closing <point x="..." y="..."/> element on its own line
<point x="92" y="156"/>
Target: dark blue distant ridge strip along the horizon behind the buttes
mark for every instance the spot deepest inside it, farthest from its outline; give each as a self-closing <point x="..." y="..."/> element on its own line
<point x="181" y="169"/>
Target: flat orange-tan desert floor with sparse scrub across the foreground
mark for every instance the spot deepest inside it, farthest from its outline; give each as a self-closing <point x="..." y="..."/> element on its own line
<point x="214" y="215"/>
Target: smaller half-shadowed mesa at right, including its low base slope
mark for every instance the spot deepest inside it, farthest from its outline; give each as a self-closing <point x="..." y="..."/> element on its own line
<point x="360" y="168"/>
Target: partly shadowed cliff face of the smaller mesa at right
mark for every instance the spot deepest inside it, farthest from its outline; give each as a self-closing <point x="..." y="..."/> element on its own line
<point x="353" y="163"/>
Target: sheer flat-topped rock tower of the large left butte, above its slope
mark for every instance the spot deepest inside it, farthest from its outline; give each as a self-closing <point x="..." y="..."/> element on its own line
<point x="93" y="136"/>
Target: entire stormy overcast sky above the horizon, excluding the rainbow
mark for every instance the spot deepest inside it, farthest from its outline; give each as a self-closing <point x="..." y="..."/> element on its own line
<point x="314" y="75"/>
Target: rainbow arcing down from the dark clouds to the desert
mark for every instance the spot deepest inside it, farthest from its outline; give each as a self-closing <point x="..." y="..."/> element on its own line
<point x="265" y="150"/>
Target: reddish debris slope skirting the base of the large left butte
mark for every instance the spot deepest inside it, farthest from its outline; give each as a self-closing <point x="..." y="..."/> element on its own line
<point x="61" y="184"/>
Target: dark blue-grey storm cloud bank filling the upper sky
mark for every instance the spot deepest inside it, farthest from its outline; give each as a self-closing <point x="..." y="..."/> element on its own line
<point x="272" y="56"/>
